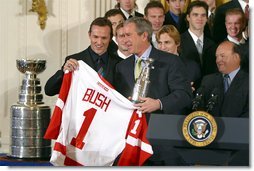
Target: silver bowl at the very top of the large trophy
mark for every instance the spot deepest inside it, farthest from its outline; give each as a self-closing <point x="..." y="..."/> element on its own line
<point x="34" y="66"/>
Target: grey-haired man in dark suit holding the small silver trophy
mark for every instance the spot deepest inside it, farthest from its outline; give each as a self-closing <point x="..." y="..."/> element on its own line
<point x="169" y="91"/>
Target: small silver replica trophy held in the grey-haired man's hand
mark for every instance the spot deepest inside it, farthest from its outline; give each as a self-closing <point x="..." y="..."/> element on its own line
<point x="142" y="83"/>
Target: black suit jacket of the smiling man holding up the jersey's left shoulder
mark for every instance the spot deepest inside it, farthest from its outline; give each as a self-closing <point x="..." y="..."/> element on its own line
<point x="54" y="83"/>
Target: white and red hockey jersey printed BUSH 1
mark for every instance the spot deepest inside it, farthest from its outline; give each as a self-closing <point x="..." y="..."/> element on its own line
<point x="92" y="124"/>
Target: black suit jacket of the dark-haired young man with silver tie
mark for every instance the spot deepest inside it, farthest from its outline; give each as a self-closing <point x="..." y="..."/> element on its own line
<point x="189" y="50"/>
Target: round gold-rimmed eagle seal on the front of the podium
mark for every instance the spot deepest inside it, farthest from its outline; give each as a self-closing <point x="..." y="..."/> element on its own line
<point x="199" y="128"/>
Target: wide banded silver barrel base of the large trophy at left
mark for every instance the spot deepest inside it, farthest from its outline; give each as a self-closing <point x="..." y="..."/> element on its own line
<point x="29" y="124"/>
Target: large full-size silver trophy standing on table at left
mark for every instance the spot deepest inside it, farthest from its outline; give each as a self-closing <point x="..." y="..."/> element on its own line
<point x="29" y="117"/>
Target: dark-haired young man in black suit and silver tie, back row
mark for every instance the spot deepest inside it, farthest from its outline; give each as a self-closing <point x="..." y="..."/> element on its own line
<point x="194" y="43"/>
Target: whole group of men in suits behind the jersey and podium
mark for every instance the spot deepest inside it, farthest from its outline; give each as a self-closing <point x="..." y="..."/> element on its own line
<point x="194" y="44"/>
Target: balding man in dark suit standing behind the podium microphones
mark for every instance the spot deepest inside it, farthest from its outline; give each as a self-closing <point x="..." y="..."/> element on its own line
<point x="233" y="99"/>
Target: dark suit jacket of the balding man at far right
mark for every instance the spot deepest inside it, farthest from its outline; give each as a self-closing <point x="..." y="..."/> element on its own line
<point x="233" y="103"/>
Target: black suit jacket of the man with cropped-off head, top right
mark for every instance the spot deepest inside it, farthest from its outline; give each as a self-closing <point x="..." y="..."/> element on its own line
<point x="219" y="28"/>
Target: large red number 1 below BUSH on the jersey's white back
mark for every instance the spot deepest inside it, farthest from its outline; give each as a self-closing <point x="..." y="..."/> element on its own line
<point x="78" y="141"/>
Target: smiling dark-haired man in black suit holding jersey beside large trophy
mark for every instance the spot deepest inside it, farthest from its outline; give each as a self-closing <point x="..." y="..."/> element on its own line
<point x="96" y="56"/>
